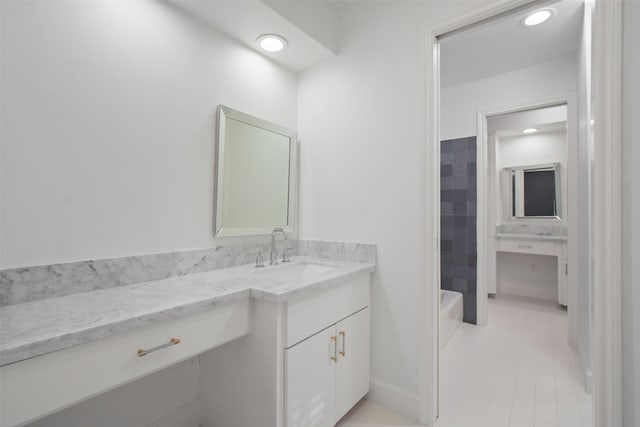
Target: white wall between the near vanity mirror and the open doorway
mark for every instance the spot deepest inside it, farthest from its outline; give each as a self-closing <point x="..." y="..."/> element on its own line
<point x="359" y="128"/>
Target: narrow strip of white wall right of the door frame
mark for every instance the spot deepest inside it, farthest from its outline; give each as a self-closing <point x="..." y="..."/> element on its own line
<point x="630" y="209"/>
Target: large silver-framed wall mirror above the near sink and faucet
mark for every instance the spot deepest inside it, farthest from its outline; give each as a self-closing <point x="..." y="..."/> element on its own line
<point x="255" y="175"/>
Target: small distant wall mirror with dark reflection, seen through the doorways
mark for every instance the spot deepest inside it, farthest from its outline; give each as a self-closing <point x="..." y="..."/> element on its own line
<point x="532" y="192"/>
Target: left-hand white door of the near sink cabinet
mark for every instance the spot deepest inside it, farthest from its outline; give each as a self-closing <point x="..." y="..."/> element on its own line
<point x="310" y="381"/>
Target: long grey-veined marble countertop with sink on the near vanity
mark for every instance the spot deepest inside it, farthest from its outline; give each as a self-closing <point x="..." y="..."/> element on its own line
<point x="39" y="327"/>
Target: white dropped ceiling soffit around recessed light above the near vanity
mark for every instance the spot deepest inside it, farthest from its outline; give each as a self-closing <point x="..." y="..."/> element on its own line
<point x="309" y="27"/>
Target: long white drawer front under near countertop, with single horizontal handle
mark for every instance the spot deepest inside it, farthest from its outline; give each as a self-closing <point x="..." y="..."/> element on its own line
<point x="37" y="387"/>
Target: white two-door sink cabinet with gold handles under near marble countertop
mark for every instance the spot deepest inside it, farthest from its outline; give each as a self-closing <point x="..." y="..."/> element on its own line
<point x="283" y="374"/>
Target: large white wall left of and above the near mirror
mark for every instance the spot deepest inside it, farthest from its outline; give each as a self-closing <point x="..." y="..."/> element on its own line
<point x="108" y="119"/>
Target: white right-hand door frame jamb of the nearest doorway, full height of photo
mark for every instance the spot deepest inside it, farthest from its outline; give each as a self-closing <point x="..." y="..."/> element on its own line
<point x="607" y="212"/>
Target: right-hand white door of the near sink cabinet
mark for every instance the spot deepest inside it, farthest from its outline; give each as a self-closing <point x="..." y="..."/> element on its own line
<point x="352" y="369"/>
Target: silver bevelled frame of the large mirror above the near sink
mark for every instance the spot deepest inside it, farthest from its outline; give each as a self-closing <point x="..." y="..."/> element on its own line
<point x="225" y="112"/>
